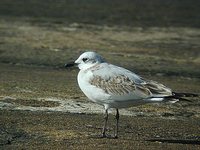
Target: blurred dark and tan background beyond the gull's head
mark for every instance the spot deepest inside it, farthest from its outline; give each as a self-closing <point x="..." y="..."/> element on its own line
<point x="49" y="33"/>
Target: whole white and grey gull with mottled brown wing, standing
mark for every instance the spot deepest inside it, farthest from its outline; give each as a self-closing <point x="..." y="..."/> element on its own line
<point x="115" y="87"/>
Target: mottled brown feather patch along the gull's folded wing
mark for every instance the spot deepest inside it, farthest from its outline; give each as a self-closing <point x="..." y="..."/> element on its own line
<point x="122" y="85"/>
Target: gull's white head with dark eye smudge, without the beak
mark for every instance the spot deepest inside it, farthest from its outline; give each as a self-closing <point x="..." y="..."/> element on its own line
<point x="88" y="59"/>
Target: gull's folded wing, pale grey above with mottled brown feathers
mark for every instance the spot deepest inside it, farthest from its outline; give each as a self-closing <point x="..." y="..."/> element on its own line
<point x="122" y="84"/>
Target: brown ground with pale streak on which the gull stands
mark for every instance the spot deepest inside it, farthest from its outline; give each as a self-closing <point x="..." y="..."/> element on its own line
<point x="39" y="111"/>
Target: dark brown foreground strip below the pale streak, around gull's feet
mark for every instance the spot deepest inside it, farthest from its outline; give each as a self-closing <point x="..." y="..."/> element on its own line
<point x="58" y="130"/>
